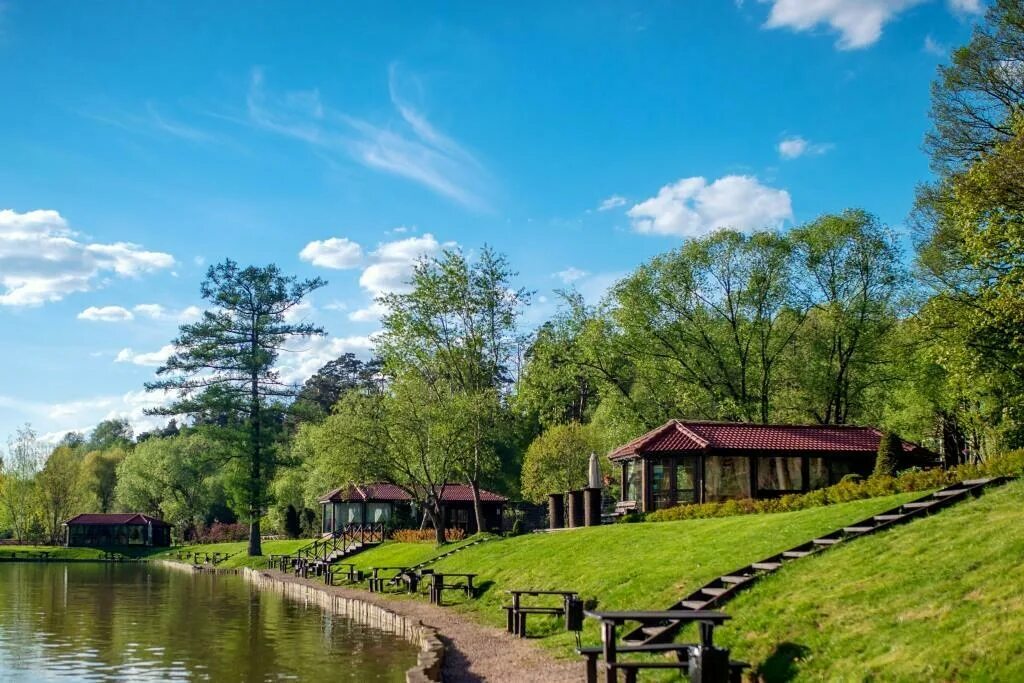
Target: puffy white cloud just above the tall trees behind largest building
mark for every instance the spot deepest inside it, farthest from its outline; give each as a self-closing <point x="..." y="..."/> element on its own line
<point x="692" y="207"/>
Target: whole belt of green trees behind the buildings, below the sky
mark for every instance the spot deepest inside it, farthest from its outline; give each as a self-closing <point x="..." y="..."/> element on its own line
<point x="842" y="320"/>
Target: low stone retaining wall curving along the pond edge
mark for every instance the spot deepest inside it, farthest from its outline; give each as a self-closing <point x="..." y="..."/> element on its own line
<point x="432" y="656"/>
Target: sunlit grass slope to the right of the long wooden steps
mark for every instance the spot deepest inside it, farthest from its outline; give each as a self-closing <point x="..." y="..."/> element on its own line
<point x="941" y="600"/>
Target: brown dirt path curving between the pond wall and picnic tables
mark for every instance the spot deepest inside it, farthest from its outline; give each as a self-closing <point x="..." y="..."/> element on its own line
<point x="475" y="652"/>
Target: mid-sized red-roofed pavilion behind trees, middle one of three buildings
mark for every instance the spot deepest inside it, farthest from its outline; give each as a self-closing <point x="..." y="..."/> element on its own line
<point x="389" y="504"/>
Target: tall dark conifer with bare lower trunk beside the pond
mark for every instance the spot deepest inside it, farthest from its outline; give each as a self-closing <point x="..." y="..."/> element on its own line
<point x="225" y="365"/>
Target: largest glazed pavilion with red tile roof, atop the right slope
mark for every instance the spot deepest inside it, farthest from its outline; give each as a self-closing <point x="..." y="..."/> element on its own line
<point x="695" y="462"/>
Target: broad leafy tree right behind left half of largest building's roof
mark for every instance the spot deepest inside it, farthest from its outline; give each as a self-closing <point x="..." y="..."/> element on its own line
<point x="705" y="327"/>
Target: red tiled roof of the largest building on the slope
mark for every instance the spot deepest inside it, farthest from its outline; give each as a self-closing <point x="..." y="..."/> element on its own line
<point x="677" y="437"/>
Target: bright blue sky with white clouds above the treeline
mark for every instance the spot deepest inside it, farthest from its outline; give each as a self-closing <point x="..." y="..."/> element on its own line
<point x="140" y="143"/>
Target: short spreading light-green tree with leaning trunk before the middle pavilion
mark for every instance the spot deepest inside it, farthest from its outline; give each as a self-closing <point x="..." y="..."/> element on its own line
<point x="409" y="436"/>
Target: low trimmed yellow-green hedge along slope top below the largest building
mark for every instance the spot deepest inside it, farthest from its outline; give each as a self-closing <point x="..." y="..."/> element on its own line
<point x="851" y="488"/>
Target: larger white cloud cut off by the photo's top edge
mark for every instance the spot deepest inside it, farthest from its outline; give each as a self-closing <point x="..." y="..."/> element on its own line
<point x="859" y="23"/>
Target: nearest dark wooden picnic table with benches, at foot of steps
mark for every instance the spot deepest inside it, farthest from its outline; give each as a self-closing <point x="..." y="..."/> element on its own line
<point x="707" y="659"/>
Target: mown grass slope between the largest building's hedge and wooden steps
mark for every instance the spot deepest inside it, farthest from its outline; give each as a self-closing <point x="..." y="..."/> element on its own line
<point x="647" y="566"/>
